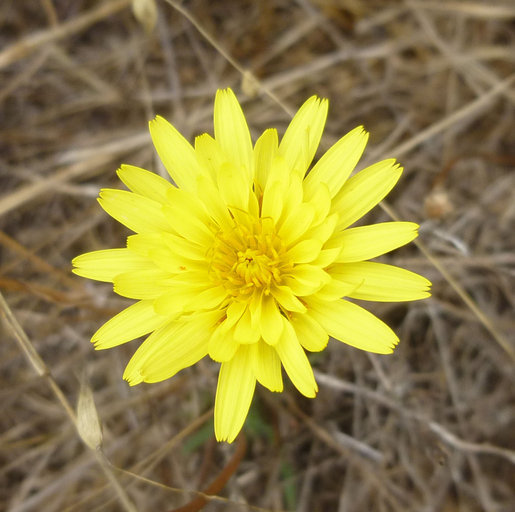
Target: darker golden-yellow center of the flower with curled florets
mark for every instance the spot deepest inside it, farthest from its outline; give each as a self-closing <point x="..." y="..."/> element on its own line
<point x="248" y="258"/>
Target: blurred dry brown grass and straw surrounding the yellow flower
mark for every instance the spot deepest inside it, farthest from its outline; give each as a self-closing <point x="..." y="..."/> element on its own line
<point x="429" y="428"/>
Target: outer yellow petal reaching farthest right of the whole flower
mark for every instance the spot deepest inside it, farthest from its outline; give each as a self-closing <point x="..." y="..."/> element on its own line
<point x="380" y="282"/>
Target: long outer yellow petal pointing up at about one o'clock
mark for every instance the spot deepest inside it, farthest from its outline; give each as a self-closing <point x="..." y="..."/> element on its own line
<point x="300" y="141"/>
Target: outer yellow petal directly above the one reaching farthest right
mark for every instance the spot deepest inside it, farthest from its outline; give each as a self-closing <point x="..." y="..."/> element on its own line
<point x="365" y="242"/>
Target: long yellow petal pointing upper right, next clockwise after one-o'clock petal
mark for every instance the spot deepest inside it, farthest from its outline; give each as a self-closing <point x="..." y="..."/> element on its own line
<point x="337" y="163"/>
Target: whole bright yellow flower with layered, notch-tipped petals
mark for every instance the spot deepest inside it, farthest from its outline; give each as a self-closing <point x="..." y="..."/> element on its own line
<point x="248" y="259"/>
